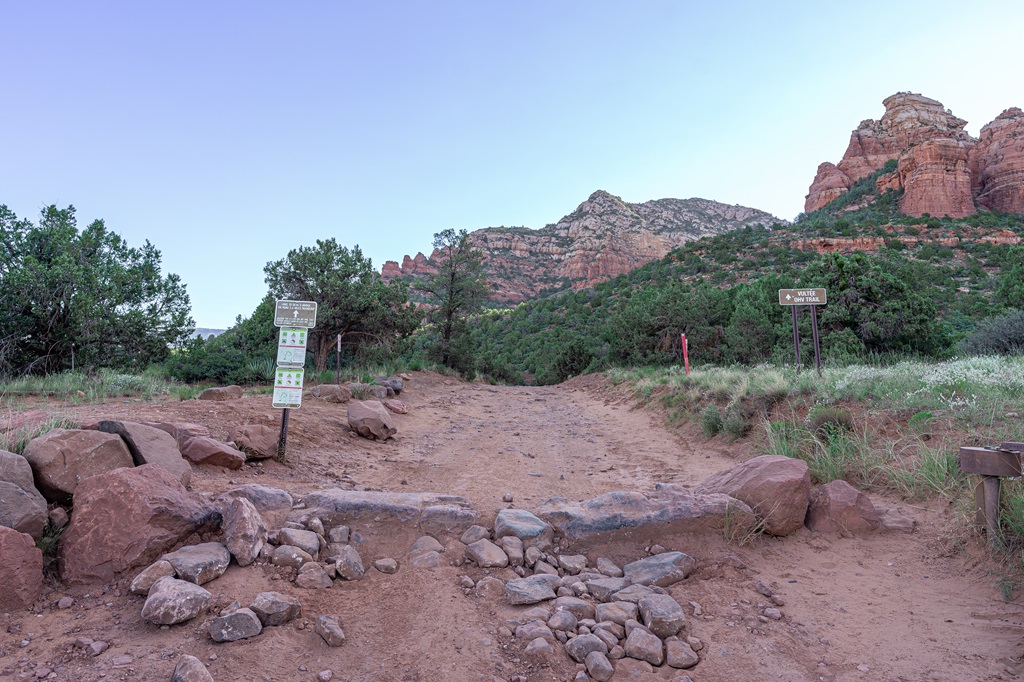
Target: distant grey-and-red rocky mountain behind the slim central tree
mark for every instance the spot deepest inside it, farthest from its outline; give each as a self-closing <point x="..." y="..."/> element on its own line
<point x="604" y="238"/>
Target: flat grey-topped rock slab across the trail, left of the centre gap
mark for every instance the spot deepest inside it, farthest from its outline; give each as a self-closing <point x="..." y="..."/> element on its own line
<point x="424" y="510"/>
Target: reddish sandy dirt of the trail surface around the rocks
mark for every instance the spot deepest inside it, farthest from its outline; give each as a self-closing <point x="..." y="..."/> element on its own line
<point x="925" y="607"/>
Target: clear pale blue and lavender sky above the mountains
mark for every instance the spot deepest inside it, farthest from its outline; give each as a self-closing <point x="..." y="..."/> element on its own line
<point x="230" y="133"/>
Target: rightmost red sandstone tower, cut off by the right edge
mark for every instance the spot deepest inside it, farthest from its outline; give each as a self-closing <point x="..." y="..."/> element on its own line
<point x="998" y="164"/>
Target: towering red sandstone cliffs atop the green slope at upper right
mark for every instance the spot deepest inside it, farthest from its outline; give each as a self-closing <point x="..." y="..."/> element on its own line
<point x="942" y="169"/>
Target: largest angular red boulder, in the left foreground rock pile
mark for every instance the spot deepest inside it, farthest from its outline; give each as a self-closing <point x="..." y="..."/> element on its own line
<point x="129" y="519"/>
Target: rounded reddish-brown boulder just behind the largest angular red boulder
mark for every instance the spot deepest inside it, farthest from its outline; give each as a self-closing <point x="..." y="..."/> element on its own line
<point x="64" y="458"/>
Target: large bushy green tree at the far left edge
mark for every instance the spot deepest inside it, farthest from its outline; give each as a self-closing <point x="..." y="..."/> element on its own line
<point x="86" y="295"/>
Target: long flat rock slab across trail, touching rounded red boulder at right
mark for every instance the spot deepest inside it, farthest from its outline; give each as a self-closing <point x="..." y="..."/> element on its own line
<point x="672" y="509"/>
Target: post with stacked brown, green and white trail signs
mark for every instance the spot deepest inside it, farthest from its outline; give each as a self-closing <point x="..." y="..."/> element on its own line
<point x="295" y="320"/>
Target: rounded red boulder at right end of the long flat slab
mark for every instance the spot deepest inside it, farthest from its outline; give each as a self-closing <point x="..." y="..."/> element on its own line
<point x="778" y="489"/>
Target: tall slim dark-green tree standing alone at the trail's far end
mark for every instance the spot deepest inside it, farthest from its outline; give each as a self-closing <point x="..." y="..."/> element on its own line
<point x="457" y="290"/>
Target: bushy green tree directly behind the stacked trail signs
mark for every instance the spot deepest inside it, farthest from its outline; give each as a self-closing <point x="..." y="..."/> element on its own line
<point x="353" y="301"/>
